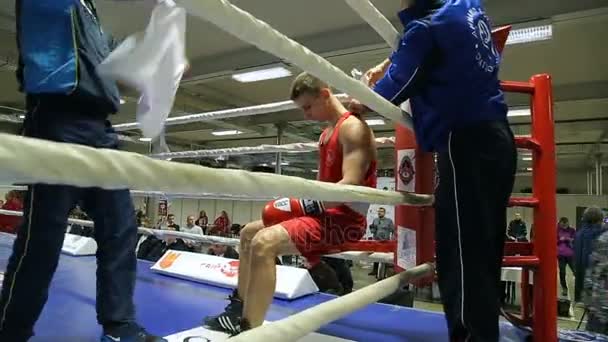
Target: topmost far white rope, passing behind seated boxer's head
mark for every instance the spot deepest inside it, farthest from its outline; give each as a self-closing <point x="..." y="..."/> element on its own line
<point x="266" y="108"/>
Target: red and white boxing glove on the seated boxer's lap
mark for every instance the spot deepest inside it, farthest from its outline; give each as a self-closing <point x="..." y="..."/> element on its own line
<point x="285" y="209"/>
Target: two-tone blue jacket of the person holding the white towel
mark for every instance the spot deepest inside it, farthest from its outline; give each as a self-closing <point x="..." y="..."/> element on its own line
<point x="61" y="43"/>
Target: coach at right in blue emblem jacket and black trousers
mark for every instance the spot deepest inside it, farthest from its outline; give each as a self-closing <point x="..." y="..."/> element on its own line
<point x="447" y="66"/>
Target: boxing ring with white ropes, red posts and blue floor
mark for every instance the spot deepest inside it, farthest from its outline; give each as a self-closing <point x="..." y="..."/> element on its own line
<point x="169" y="306"/>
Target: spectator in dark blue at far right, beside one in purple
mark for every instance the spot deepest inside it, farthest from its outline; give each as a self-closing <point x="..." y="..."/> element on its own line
<point x="591" y="228"/>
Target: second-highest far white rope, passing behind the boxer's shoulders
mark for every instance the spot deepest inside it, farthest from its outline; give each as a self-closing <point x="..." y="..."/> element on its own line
<point x="260" y="149"/>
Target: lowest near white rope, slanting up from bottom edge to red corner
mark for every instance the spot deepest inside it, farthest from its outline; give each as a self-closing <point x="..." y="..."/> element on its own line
<point x="303" y="323"/>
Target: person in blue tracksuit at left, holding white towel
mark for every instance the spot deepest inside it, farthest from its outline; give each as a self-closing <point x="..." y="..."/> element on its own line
<point x="60" y="45"/>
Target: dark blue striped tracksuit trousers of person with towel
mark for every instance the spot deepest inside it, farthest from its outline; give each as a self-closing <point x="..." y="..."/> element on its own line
<point x="40" y="238"/>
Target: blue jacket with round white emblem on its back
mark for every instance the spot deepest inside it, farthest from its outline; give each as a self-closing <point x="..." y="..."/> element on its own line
<point x="447" y="65"/>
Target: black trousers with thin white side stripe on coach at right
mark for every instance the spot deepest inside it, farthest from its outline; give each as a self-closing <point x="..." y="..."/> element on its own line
<point x="476" y="175"/>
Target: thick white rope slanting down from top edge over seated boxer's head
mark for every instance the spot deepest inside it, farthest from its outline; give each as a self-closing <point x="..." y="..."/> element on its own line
<point x="252" y="30"/>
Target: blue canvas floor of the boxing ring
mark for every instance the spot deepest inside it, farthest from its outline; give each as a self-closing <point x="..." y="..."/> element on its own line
<point x="167" y="305"/>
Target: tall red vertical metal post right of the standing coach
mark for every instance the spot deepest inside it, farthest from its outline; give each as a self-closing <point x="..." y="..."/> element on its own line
<point x="544" y="187"/>
